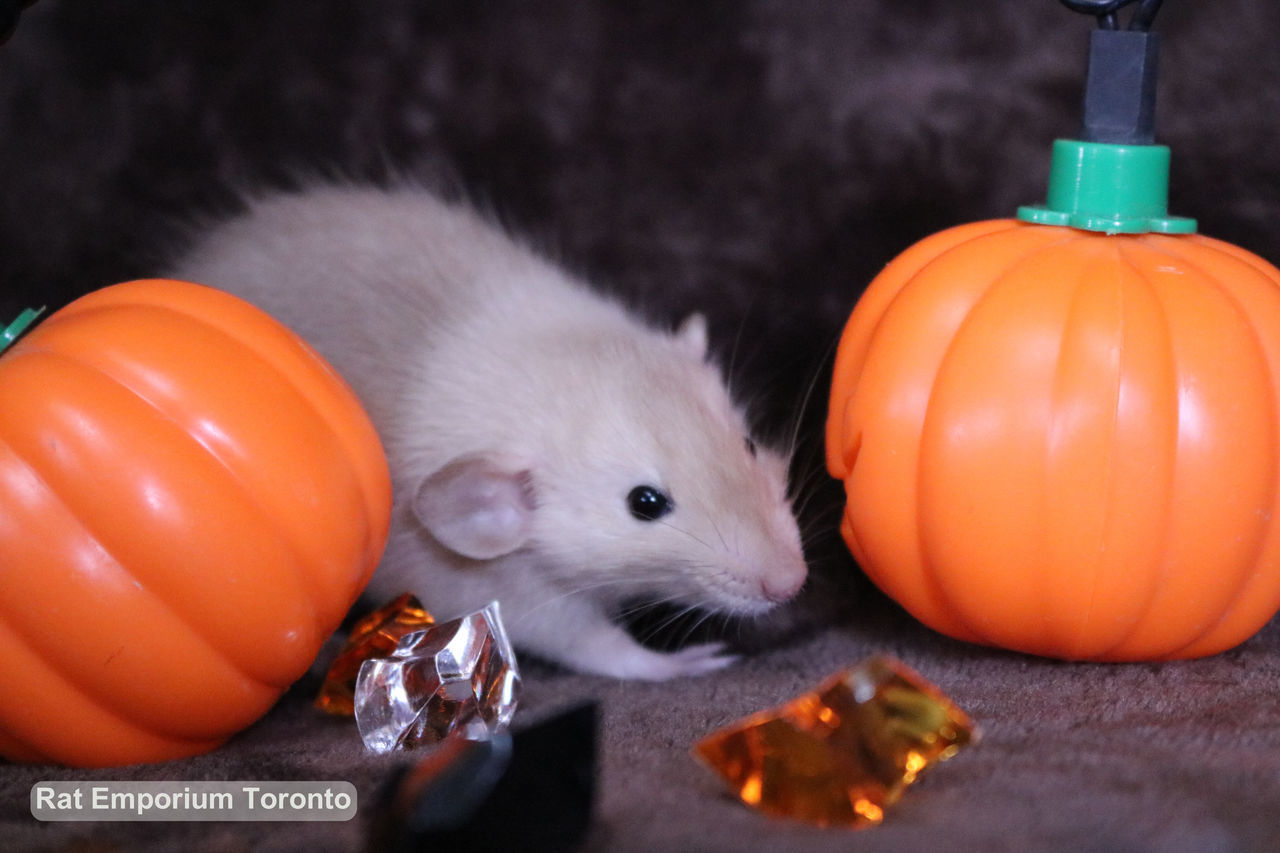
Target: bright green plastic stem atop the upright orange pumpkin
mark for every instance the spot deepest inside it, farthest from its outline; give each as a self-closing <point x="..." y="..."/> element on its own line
<point x="1110" y="189"/>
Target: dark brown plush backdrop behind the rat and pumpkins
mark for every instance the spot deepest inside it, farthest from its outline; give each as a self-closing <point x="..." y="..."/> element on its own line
<point x="758" y="161"/>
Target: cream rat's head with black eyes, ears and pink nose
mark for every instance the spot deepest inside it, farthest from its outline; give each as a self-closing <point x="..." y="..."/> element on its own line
<point x="651" y="486"/>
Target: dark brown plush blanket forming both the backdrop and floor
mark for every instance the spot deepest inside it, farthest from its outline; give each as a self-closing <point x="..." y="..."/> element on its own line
<point x="760" y="161"/>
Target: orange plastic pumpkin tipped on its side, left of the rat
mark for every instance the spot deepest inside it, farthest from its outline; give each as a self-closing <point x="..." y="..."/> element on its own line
<point x="190" y="501"/>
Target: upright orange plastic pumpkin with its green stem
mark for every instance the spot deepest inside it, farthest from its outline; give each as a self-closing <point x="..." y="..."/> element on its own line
<point x="1066" y="439"/>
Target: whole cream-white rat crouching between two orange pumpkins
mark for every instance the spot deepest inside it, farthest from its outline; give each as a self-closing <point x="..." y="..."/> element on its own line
<point x="547" y="449"/>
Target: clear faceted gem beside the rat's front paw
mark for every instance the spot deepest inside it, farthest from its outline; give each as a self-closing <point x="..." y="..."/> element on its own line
<point x="454" y="678"/>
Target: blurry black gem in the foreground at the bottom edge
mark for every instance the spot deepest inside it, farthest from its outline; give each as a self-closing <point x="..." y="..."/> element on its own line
<point x="532" y="792"/>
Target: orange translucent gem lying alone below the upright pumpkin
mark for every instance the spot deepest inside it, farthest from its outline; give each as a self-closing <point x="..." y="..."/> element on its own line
<point x="845" y="752"/>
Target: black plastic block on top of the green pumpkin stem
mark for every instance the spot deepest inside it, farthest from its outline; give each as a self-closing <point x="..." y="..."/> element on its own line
<point x="1121" y="88"/>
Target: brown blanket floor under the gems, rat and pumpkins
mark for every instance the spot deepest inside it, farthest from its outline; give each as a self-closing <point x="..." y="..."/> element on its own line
<point x="1154" y="758"/>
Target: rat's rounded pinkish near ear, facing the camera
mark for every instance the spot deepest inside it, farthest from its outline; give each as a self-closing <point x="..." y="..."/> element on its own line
<point x="479" y="507"/>
